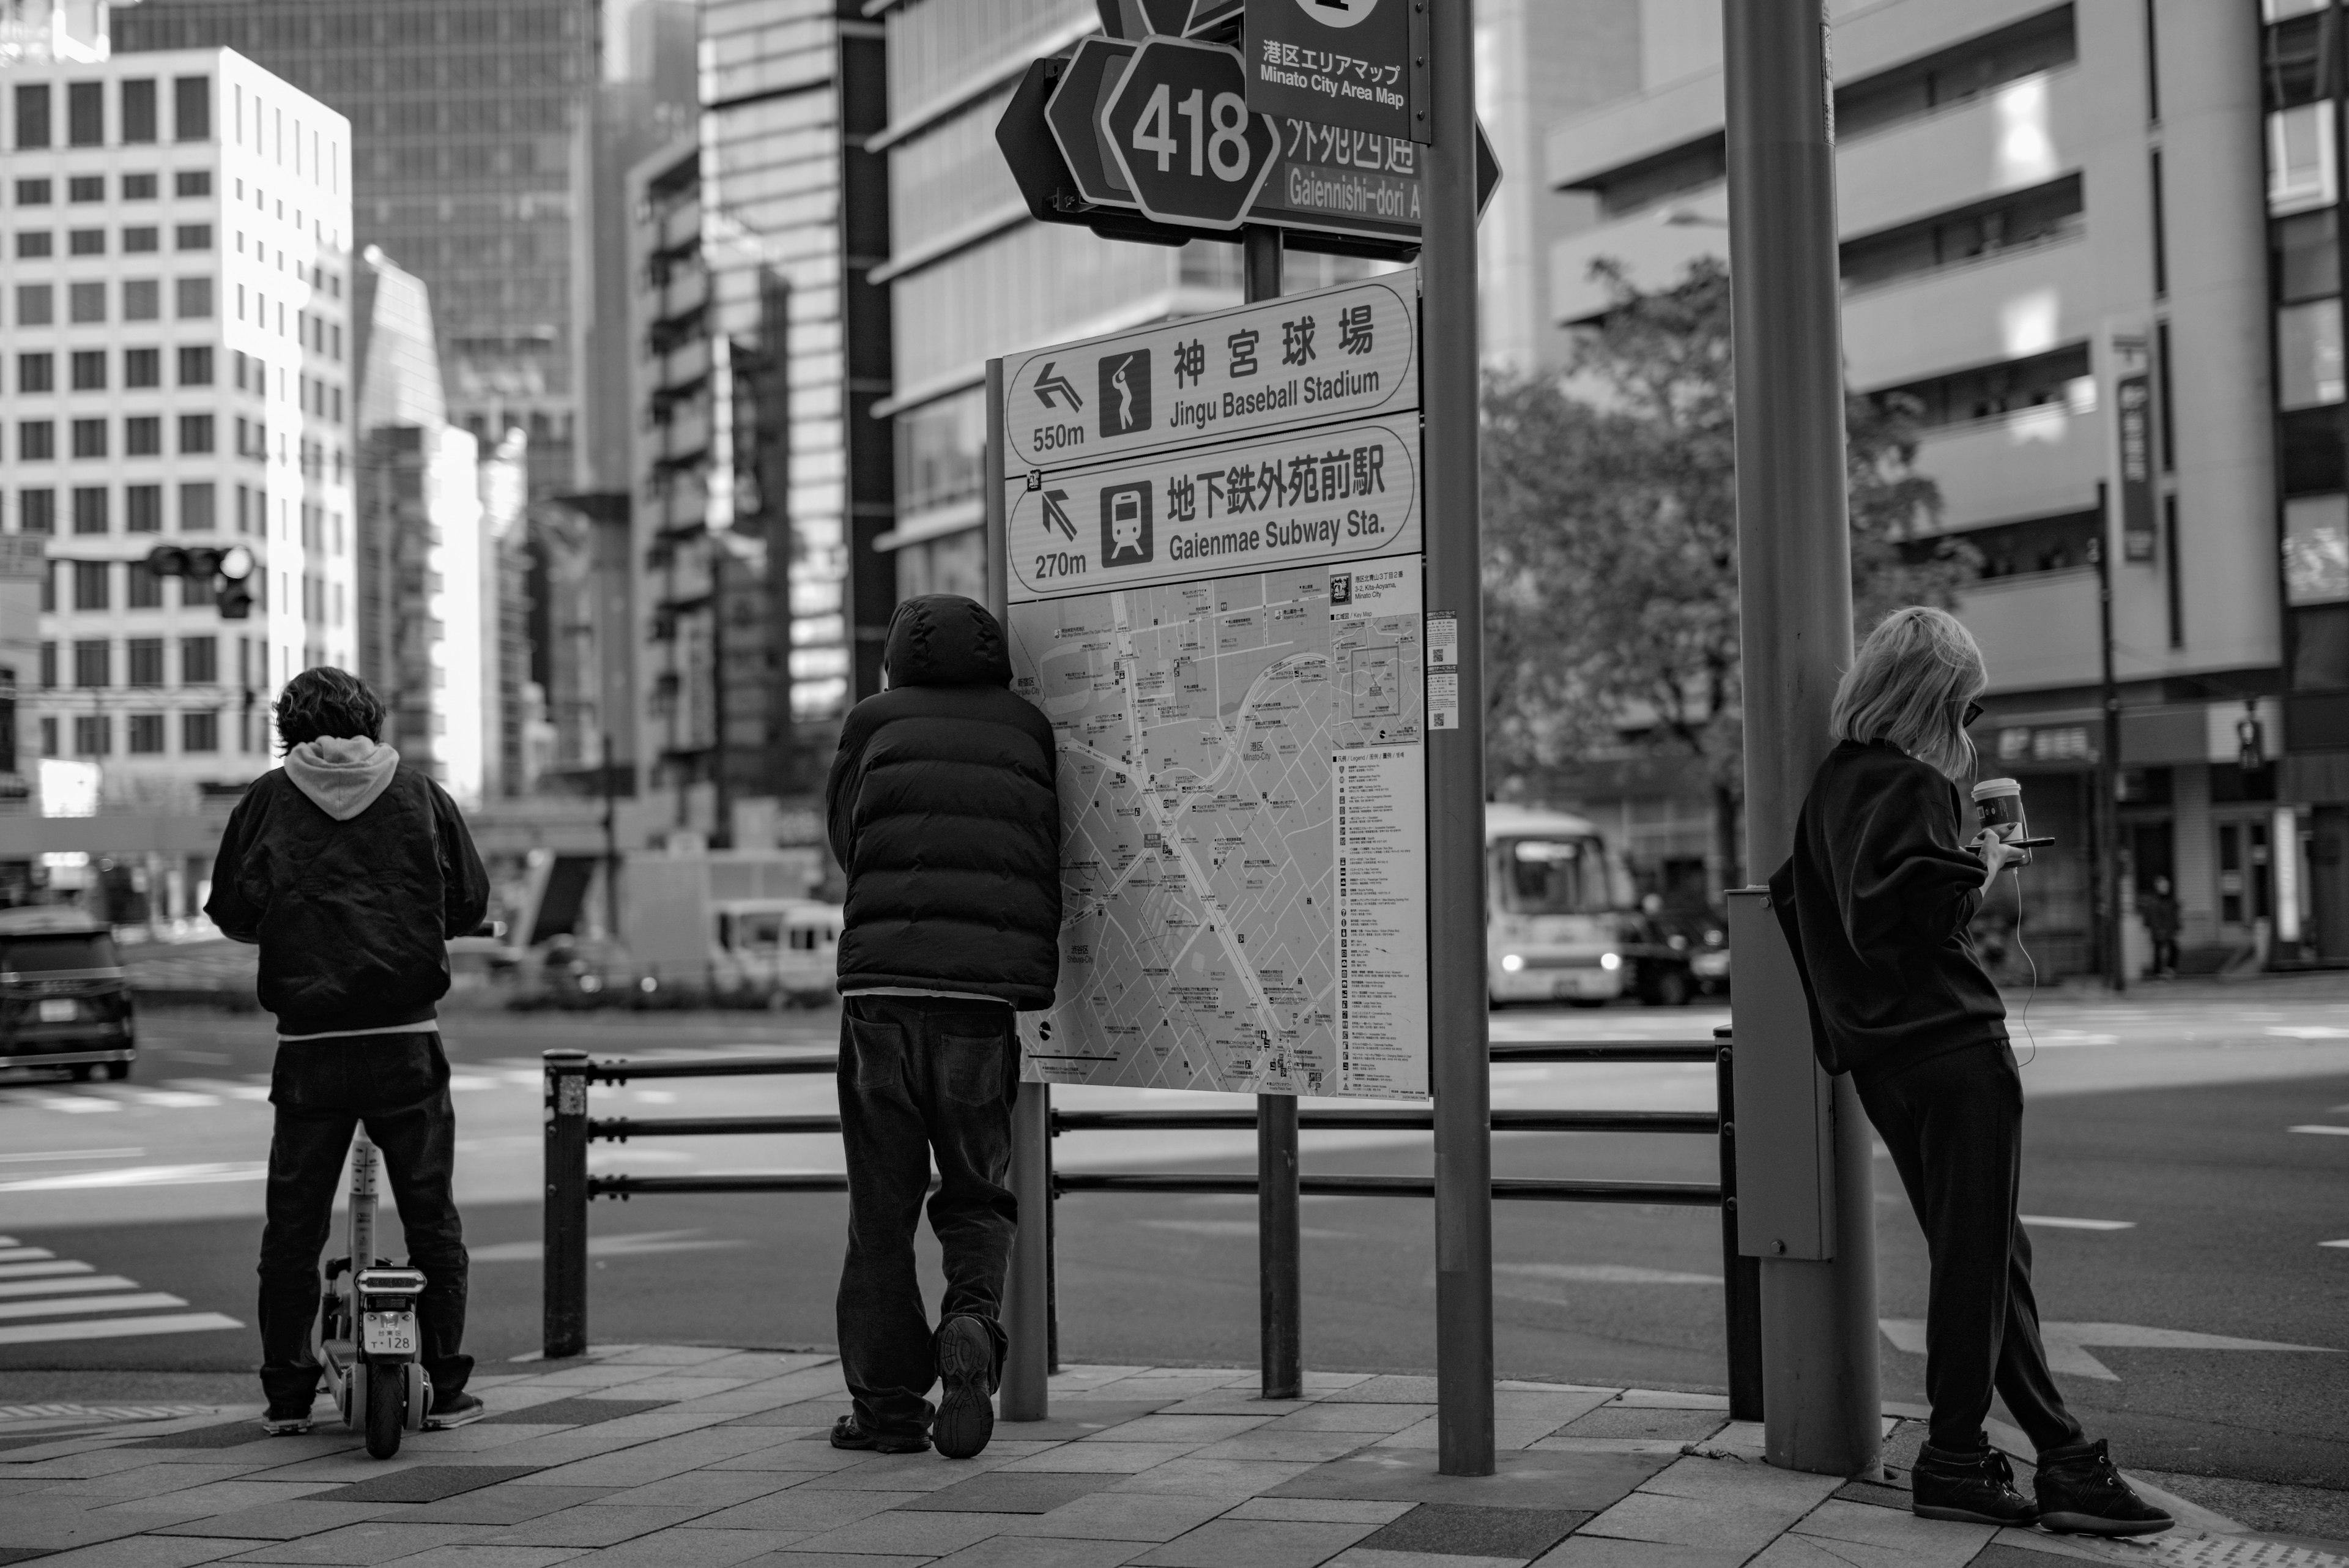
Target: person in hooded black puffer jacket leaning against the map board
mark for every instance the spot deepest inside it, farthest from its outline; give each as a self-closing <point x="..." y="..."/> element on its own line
<point x="945" y="815"/>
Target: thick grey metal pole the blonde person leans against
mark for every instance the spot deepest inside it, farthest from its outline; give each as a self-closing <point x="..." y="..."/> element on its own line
<point x="1819" y="1318"/>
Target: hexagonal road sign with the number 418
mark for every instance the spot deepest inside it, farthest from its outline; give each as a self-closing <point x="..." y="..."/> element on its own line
<point x="1183" y="135"/>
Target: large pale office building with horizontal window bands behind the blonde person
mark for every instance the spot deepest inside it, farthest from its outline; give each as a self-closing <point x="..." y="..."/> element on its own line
<point x="2052" y="217"/>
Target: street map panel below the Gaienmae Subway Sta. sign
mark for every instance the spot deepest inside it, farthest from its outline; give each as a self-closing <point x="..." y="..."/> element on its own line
<point x="1241" y="784"/>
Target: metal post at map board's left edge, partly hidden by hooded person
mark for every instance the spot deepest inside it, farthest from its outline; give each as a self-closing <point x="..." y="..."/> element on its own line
<point x="1028" y="1365"/>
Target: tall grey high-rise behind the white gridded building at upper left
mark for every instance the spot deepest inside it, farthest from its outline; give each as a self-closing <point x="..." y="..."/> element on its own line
<point x="471" y="173"/>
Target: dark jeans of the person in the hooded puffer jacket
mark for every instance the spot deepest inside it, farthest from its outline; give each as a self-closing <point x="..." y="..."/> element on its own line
<point x="922" y="1078"/>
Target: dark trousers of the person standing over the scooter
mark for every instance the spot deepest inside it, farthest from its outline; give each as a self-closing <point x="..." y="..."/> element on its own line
<point x="398" y="1085"/>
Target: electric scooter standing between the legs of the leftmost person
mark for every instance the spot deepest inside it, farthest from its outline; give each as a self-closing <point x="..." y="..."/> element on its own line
<point x="365" y="1332"/>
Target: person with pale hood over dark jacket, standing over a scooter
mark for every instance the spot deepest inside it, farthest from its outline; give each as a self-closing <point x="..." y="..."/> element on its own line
<point x="354" y="873"/>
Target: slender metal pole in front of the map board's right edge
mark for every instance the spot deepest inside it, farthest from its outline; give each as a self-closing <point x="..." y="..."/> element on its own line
<point x="1460" y="1068"/>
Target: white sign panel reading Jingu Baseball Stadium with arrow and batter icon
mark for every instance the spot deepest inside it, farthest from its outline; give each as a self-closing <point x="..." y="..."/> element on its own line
<point x="1298" y="361"/>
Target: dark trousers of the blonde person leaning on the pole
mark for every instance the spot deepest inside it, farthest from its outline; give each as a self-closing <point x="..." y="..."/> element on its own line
<point x="1956" y="1134"/>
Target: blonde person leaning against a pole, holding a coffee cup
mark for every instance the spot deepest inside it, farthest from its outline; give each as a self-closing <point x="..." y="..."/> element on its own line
<point x="1878" y="902"/>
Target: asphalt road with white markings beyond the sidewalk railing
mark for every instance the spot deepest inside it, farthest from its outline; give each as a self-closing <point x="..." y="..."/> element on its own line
<point x="2188" y="1177"/>
